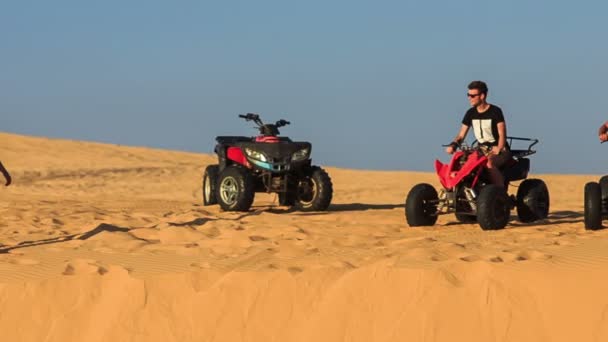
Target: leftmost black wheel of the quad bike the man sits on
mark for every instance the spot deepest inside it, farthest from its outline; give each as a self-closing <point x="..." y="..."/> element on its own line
<point x="421" y="206"/>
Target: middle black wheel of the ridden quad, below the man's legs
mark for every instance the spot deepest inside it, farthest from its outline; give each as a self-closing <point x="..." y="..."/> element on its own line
<point x="493" y="207"/>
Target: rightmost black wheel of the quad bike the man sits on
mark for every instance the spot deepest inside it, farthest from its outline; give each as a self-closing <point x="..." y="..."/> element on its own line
<point x="532" y="200"/>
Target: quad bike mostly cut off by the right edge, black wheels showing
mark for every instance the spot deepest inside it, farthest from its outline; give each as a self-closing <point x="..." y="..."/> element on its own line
<point x="596" y="203"/>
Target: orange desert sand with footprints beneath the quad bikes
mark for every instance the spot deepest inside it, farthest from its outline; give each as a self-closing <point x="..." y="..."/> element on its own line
<point x="102" y="242"/>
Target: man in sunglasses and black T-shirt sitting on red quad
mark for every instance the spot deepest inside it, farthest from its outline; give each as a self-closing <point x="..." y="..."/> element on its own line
<point x="490" y="130"/>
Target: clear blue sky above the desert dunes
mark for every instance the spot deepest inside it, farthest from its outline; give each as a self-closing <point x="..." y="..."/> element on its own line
<point x="372" y="84"/>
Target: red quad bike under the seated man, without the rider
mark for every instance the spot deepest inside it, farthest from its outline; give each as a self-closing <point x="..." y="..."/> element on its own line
<point x="469" y="193"/>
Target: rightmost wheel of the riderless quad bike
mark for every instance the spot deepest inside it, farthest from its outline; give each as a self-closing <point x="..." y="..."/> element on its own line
<point x="314" y="191"/>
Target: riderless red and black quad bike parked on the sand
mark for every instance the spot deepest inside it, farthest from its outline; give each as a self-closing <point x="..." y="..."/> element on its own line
<point x="266" y="163"/>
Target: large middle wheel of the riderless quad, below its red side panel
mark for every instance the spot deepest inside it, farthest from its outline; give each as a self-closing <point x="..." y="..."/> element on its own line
<point x="235" y="189"/>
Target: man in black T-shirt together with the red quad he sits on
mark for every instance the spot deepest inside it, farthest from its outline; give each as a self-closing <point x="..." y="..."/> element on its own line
<point x="475" y="181"/>
